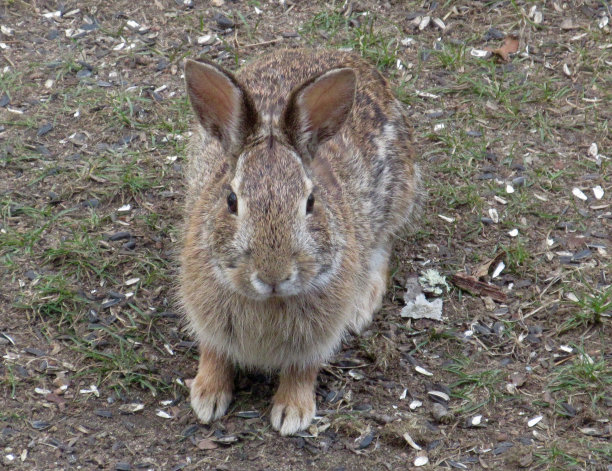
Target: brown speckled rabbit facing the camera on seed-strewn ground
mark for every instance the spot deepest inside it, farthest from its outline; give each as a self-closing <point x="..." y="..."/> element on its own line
<point x="300" y="173"/>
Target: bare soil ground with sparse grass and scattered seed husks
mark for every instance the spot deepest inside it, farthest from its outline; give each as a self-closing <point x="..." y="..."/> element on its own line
<point x="515" y="154"/>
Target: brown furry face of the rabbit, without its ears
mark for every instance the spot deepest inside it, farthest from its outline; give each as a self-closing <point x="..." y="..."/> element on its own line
<point x="273" y="229"/>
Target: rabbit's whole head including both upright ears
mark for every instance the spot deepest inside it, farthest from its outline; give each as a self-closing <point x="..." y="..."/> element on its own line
<point x="270" y="225"/>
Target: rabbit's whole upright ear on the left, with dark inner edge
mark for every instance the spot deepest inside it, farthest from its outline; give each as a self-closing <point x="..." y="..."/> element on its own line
<point x="224" y="108"/>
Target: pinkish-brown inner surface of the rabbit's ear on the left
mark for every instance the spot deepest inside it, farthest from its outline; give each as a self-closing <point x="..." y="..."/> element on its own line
<point x="213" y="95"/>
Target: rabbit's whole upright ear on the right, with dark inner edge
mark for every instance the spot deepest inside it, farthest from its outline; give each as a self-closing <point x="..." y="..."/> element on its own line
<point x="317" y="109"/>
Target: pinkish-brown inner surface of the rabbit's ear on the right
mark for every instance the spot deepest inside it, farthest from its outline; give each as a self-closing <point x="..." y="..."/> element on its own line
<point x="327" y="100"/>
